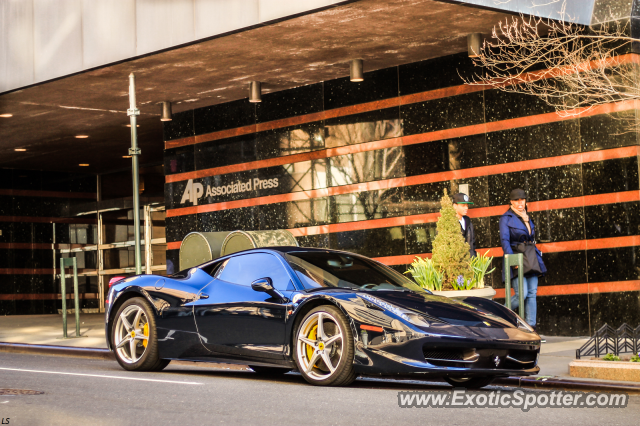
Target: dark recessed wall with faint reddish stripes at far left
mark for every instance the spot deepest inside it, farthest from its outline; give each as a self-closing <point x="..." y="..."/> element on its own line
<point x="33" y="206"/>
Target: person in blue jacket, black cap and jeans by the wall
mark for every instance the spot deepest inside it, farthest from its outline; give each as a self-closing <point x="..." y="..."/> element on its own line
<point x="516" y="227"/>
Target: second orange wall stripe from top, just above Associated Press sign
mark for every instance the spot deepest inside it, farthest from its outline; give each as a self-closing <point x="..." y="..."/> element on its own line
<point x="395" y="142"/>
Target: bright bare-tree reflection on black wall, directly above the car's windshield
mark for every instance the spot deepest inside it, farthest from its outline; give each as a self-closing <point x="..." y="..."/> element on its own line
<point x="365" y="167"/>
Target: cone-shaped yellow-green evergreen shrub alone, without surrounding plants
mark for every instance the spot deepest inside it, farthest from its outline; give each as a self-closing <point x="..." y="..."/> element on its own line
<point x="450" y="251"/>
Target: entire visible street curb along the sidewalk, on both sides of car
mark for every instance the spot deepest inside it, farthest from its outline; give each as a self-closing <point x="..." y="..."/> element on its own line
<point x="526" y="382"/>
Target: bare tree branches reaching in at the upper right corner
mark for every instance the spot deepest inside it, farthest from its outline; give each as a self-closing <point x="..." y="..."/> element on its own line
<point x="581" y="67"/>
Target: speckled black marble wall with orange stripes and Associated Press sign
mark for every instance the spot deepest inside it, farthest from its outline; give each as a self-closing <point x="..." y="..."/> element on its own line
<point x="412" y="176"/>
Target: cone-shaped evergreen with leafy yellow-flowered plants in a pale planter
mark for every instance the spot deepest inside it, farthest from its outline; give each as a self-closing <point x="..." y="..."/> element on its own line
<point x="451" y="272"/>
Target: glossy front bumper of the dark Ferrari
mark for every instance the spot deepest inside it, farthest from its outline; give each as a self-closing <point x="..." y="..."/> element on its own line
<point x="449" y="351"/>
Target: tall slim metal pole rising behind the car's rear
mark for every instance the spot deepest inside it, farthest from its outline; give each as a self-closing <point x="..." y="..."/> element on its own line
<point x="134" y="151"/>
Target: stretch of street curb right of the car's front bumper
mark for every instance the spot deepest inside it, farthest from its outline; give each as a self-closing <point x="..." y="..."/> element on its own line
<point x="576" y="385"/>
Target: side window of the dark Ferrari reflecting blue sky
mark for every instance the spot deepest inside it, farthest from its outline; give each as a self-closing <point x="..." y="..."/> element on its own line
<point x="247" y="268"/>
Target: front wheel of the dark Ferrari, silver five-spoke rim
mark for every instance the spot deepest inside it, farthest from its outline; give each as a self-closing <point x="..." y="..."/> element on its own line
<point x="323" y="347"/>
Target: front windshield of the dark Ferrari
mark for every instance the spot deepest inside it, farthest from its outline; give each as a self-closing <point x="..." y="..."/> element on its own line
<point x="329" y="269"/>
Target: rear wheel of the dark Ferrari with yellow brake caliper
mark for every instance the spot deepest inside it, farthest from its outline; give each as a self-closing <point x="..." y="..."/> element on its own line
<point x="135" y="322"/>
